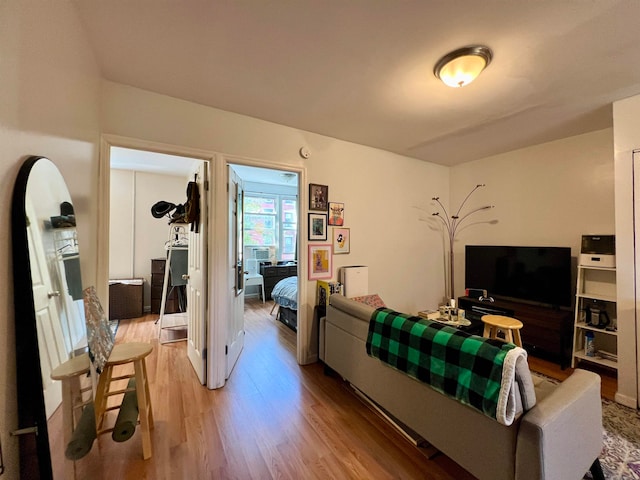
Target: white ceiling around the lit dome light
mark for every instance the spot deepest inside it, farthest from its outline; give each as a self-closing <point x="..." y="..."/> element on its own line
<point x="361" y="70"/>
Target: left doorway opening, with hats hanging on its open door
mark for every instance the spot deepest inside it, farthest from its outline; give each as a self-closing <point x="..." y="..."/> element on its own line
<point x="150" y="240"/>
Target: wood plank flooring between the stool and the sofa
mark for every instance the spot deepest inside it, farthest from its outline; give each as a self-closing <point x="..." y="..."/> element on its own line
<point x="273" y="419"/>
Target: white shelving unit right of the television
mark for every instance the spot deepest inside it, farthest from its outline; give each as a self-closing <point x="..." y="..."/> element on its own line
<point x="596" y="288"/>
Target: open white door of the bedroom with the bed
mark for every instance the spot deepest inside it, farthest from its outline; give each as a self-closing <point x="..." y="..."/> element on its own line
<point x="235" y="322"/>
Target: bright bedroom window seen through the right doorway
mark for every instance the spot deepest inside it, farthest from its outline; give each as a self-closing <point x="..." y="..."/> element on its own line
<point x="271" y="221"/>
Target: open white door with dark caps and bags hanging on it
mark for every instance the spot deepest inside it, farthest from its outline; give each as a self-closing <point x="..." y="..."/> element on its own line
<point x="197" y="282"/>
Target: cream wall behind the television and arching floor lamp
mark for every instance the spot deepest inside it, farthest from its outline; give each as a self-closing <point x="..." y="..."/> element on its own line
<point x="548" y="195"/>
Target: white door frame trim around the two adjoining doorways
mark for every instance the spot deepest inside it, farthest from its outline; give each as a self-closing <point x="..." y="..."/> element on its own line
<point x="217" y="229"/>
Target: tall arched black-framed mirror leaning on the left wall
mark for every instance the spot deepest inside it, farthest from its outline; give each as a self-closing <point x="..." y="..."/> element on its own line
<point x="49" y="314"/>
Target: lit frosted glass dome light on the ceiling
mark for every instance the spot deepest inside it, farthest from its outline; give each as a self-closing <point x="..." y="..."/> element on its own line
<point x="462" y="66"/>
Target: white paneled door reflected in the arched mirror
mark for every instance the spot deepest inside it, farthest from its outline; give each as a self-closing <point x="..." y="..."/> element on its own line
<point x="51" y="343"/>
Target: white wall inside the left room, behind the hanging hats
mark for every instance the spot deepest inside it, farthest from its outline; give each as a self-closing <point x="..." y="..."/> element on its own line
<point x="135" y="236"/>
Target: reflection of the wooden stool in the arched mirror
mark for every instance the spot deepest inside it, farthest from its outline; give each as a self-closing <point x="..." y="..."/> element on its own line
<point x="70" y="373"/>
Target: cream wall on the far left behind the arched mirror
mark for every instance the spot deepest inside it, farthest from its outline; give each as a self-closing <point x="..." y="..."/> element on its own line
<point x="48" y="106"/>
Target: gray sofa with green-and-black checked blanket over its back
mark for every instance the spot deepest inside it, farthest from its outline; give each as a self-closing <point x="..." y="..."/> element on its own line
<point x="559" y="438"/>
